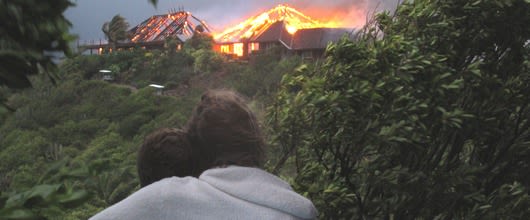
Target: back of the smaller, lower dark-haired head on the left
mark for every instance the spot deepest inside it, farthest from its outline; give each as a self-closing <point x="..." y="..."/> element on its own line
<point x="164" y="153"/>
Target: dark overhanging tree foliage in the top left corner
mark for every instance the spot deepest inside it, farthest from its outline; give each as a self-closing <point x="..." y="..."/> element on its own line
<point x="31" y="32"/>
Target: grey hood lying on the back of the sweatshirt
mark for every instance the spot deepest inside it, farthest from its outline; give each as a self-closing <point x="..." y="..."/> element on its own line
<point x="259" y="187"/>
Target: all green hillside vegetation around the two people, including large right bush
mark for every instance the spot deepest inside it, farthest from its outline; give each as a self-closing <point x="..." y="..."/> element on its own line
<point x="425" y="115"/>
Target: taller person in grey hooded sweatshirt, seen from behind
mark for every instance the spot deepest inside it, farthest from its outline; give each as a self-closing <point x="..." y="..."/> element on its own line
<point x="227" y="148"/>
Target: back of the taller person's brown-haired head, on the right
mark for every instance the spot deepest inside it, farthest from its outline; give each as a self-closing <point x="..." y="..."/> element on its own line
<point x="225" y="131"/>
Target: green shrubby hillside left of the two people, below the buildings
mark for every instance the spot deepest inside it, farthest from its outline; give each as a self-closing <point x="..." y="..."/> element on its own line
<point x="83" y="133"/>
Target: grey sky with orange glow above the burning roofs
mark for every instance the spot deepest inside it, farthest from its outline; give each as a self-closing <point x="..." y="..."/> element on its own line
<point x="88" y="16"/>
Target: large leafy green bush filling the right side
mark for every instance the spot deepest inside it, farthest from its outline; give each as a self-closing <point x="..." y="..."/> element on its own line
<point x="425" y="116"/>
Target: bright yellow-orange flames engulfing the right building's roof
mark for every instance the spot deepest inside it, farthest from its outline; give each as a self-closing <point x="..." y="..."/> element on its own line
<point x="294" y="20"/>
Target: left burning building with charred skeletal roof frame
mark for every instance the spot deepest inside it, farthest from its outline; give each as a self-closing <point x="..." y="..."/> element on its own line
<point x="153" y="32"/>
